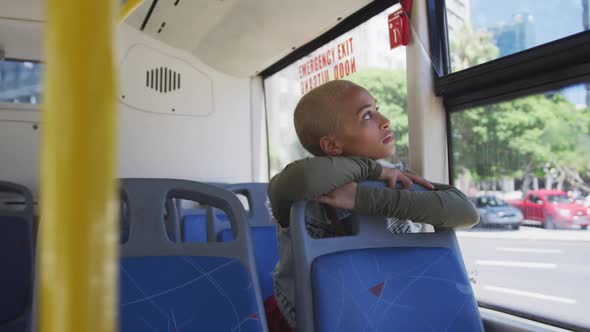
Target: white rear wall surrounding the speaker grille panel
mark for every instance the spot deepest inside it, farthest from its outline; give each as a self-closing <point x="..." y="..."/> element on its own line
<point x="213" y="148"/>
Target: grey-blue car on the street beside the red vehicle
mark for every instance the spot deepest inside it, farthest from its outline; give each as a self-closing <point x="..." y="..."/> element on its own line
<point x="494" y="211"/>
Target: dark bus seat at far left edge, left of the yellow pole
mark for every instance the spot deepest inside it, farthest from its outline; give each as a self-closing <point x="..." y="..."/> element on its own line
<point x="16" y="259"/>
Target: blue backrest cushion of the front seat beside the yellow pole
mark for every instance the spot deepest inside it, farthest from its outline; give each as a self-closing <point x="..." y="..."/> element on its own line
<point x="186" y="293"/>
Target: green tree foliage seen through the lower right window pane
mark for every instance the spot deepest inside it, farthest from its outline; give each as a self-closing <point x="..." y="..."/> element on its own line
<point x="501" y="140"/>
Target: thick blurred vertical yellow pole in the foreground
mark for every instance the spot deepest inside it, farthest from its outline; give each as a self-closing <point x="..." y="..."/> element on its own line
<point x="78" y="242"/>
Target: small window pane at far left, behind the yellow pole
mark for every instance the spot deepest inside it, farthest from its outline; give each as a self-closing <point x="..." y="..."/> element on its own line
<point x="20" y="82"/>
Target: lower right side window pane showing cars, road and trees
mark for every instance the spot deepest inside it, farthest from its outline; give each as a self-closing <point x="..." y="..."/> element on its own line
<point x="528" y="256"/>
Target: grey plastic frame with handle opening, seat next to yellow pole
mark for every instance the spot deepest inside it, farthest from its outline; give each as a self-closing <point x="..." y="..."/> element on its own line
<point x="146" y="202"/>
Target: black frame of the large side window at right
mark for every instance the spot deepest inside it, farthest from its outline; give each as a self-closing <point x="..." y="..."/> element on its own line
<point x="549" y="66"/>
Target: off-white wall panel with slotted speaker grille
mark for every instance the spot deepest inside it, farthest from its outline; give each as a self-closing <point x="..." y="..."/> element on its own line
<point x="154" y="81"/>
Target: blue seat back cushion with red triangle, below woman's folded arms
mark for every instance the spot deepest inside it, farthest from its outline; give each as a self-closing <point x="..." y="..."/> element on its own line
<point x="393" y="289"/>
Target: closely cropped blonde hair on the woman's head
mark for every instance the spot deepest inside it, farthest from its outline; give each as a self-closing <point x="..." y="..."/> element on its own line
<point x="315" y="116"/>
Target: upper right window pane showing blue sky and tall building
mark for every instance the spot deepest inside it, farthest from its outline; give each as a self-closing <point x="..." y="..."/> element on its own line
<point x="483" y="30"/>
